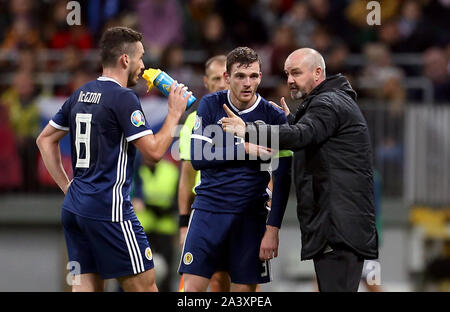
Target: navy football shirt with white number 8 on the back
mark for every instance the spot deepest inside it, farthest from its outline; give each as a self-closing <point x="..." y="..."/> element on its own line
<point x="103" y="118"/>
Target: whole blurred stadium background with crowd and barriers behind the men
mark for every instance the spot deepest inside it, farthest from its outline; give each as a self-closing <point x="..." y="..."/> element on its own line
<point x="400" y="70"/>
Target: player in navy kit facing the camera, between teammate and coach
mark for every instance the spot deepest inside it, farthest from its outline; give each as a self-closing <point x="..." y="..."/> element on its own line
<point x="229" y="229"/>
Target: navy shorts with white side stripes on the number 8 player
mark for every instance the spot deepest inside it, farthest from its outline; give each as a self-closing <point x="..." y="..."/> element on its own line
<point x="111" y="249"/>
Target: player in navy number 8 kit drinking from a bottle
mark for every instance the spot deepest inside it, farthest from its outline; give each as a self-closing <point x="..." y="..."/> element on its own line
<point x="103" y="117"/>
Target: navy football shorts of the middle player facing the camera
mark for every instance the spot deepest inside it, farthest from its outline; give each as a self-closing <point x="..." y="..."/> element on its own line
<point x="225" y="242"/>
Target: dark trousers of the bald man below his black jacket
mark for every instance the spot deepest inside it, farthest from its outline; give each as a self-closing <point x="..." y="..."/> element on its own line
<point x="338" y="270"/>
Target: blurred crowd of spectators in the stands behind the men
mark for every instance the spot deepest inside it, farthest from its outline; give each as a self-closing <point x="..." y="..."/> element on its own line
<point x="404" y="60"/>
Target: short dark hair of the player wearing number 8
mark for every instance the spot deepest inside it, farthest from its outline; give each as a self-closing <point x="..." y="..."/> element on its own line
<point x="115" y="42"/>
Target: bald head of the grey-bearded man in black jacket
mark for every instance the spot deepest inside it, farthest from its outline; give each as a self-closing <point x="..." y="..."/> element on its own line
<point x="305" y="69"/>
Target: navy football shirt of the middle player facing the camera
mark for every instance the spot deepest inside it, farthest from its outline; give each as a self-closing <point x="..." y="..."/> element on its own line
<point x="230" y="182"/>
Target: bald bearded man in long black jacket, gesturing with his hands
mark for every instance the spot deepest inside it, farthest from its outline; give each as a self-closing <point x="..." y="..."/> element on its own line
<point x="333" y="170"/>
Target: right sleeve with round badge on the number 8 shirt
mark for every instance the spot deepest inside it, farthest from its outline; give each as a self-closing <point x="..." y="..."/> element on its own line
<point x="130" y="115"/>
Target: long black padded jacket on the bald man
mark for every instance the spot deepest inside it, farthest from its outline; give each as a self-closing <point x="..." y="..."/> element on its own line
<point x="333" y="172"/>
